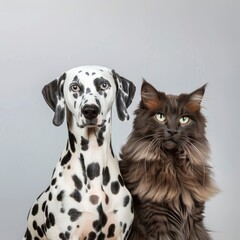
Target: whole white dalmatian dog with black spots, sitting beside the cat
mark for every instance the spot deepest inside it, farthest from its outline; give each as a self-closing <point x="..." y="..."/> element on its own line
<point x="87" y="198"/>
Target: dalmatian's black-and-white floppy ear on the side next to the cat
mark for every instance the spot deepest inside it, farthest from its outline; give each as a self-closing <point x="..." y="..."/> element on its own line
<point x="124" y="96"/>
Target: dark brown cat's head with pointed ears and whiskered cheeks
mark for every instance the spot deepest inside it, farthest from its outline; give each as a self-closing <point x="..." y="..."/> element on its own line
<point x="169" y="124"/>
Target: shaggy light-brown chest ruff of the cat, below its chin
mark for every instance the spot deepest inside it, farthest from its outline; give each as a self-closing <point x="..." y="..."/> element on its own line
<point x="170" y="180"/>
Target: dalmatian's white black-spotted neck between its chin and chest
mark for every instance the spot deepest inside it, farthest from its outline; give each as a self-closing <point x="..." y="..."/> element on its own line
<point x="90" y="140"/>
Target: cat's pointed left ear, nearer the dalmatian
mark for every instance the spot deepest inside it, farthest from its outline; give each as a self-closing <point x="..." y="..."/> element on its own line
<point x="150" y="96"/>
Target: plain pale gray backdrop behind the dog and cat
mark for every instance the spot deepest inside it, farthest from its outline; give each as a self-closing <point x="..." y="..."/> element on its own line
<point x="177" y="45"/>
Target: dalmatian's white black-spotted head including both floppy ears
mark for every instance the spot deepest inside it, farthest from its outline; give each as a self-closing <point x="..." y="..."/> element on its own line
<point x="89" y="92"/>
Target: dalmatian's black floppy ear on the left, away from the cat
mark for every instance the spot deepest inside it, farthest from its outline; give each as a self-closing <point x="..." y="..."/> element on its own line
<point x="53" y="95"/>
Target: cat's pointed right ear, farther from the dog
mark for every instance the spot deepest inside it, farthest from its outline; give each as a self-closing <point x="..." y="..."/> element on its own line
<point x="195" y="99"/>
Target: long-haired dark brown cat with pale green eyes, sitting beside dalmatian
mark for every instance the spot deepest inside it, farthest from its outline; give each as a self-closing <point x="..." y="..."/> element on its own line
<point x="165" y="166"/>
